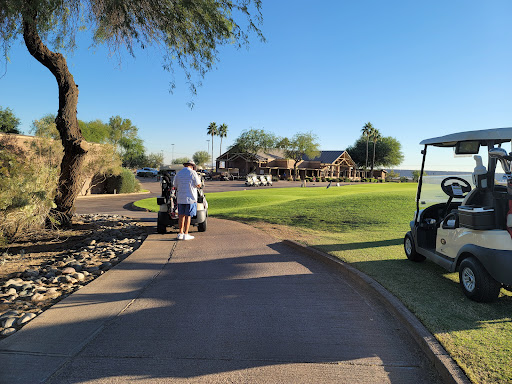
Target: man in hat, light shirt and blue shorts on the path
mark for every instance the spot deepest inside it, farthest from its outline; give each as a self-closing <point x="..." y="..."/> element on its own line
<point x="186" y="182"/>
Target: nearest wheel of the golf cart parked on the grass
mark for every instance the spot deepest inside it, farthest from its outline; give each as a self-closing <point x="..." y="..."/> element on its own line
<point x="476" y="283"/>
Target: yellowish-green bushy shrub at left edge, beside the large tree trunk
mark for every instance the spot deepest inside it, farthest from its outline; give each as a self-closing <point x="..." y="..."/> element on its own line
<point x="27" y="189"/>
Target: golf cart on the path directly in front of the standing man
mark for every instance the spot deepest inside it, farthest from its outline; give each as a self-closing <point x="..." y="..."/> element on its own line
<point x="168" y="214"/>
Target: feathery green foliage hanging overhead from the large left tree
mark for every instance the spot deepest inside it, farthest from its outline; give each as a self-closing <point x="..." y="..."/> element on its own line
<point x="187" y="33"/>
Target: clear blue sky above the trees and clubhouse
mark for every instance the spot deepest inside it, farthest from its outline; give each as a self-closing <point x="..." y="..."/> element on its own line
<point x="413" y="69"/>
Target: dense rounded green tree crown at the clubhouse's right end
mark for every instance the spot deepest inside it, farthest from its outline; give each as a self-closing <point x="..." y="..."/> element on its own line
<point x="388" y="152"/>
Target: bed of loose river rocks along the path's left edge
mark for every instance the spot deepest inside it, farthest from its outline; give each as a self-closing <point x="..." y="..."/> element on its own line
<point x="107" y="240"/>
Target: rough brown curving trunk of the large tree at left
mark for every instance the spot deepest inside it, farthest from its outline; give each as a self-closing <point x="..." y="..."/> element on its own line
<point x="75" y="147"/>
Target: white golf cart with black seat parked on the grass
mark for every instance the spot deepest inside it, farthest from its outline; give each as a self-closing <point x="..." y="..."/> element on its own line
<point x="469" y="230"/>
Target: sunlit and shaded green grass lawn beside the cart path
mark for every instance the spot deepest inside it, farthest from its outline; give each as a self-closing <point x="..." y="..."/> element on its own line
<point x="364" y="225"/>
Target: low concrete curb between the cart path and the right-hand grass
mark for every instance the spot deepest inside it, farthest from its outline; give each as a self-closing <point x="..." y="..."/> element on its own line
<point x="450" y="372"/>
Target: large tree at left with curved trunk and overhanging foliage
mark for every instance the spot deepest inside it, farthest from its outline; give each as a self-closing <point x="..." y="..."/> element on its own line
<point x="187" y="32"/>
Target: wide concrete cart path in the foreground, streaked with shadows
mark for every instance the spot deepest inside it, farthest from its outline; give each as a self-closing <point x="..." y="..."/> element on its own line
<point x="230" y="306"/>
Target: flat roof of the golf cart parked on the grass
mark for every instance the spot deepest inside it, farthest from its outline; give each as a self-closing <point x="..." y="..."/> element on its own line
<point x="496" y="135"/>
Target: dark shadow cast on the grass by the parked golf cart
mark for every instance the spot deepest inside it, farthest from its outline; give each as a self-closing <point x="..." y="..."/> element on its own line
<point x="431" y="293"/>
